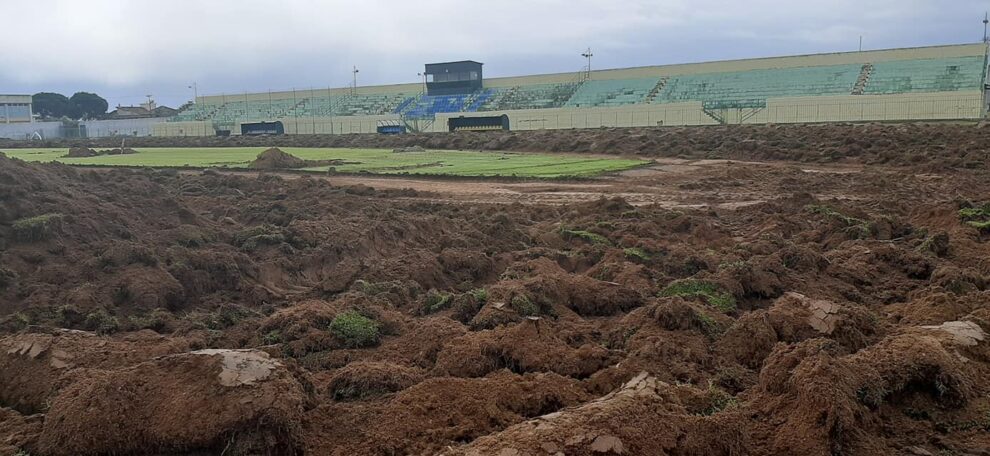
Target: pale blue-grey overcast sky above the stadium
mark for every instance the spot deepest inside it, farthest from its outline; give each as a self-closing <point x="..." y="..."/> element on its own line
<point x="124" y="50"/>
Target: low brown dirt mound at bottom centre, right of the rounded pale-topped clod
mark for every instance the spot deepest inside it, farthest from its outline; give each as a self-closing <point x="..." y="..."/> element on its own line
<point x="460" y="410"/>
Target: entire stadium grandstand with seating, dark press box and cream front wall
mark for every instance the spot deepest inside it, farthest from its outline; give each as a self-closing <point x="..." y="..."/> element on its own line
<point x="929" y="83"/>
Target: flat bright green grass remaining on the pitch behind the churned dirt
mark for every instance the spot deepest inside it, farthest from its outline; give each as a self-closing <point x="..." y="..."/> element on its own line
<point x="374" y="161"/>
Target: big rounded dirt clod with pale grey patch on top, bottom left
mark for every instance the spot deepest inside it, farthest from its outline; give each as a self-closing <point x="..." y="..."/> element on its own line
<point x="205" y="400"/>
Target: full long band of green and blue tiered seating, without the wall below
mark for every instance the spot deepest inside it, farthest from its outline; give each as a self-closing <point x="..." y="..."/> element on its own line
<point x="740" y="89"/>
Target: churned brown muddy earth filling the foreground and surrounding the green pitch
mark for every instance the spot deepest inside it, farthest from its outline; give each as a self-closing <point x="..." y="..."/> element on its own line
<point x="761" y="306"/>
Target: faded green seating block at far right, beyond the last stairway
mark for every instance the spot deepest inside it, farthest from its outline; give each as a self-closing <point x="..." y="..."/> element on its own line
<point x="930" y="75"/>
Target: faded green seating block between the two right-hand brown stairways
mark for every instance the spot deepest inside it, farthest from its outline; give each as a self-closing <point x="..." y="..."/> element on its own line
<point x="761" y="84"/>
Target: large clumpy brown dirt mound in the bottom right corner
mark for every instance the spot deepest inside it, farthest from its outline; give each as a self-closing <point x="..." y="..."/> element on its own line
<point x="838" y="395"/>
